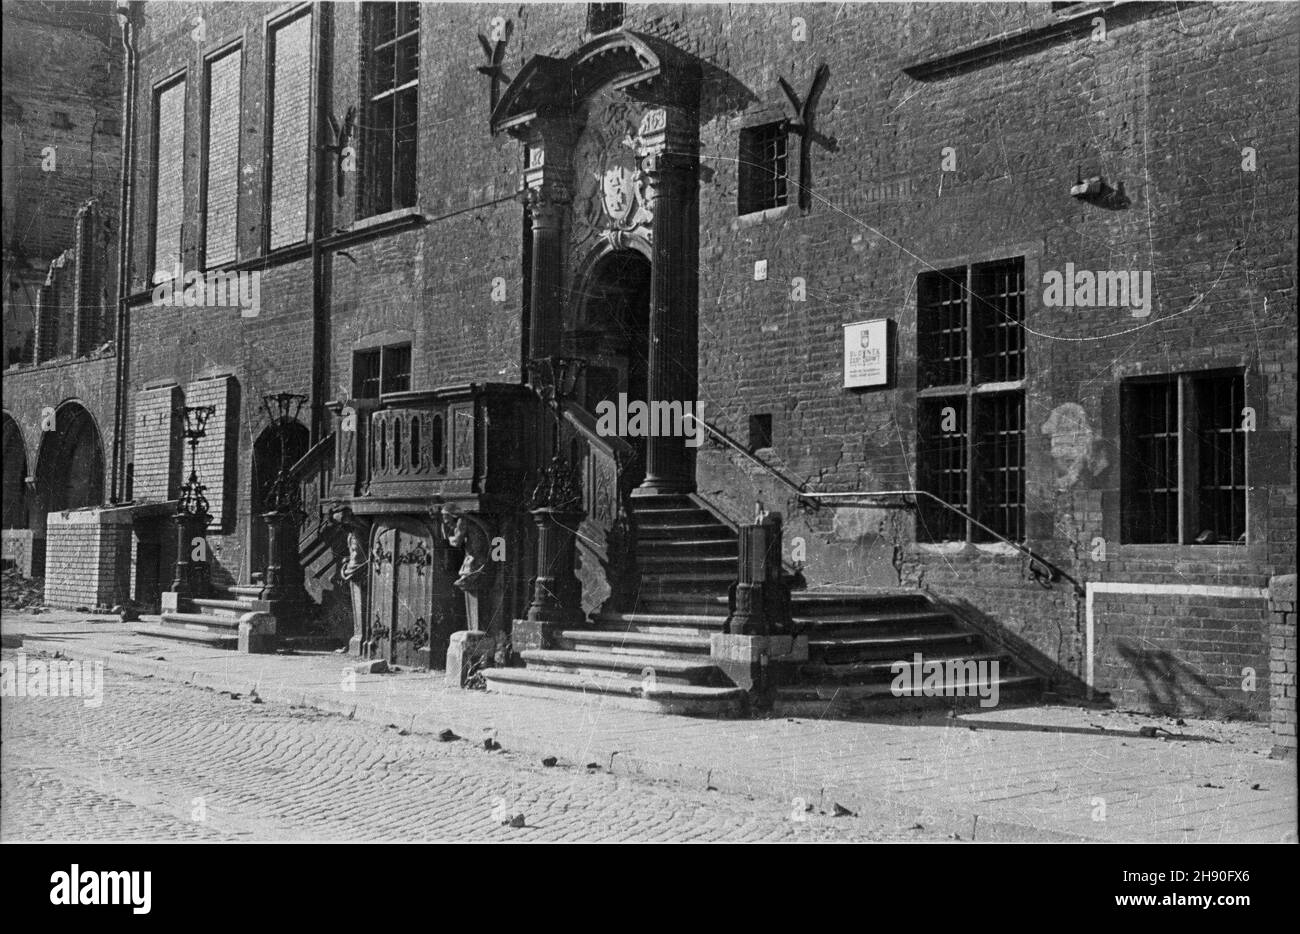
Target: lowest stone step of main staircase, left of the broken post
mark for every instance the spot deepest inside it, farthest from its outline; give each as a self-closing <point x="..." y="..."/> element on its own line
<point x="619" y="693"/>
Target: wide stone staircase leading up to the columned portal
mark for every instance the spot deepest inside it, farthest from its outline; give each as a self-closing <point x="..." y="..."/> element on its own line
<point x="657" y="655"/>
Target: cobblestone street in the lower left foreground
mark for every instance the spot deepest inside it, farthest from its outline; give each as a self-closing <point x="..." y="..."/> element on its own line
<point x="175" y="763"/>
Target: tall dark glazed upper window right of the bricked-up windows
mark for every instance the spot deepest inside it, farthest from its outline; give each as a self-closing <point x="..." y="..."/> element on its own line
<point x="391" y="77"/>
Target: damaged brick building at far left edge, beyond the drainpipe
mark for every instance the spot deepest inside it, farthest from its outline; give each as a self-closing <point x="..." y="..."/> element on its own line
<point x="63" y="146"/>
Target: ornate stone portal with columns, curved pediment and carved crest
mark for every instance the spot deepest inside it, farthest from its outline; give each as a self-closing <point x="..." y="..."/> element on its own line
<point x="613" y="139"/>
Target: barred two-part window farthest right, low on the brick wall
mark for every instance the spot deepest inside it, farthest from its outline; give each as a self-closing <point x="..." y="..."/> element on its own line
<point x="1184" y="451"/>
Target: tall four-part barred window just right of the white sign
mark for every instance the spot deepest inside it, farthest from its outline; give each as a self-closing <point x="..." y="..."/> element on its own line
<point x="970" y="374"/>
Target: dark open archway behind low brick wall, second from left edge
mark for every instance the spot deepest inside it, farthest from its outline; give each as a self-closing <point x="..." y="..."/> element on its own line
<point x="70" y="473"/>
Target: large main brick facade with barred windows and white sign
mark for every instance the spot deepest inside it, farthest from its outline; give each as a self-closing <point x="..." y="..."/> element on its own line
<point x="697" y="201"/>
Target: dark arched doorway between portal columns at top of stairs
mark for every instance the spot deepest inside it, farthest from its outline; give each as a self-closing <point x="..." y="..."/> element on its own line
<point x="614" y="328"/>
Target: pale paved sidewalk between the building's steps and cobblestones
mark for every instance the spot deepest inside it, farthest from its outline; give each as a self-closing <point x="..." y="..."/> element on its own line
<point x="1052" y="772"/>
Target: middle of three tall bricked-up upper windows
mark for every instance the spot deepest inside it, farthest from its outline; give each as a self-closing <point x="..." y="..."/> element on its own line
<point x="222" y="163"/>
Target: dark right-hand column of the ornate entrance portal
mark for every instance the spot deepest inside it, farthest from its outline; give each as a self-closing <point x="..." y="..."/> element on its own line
<point x="670" y="145"/>
